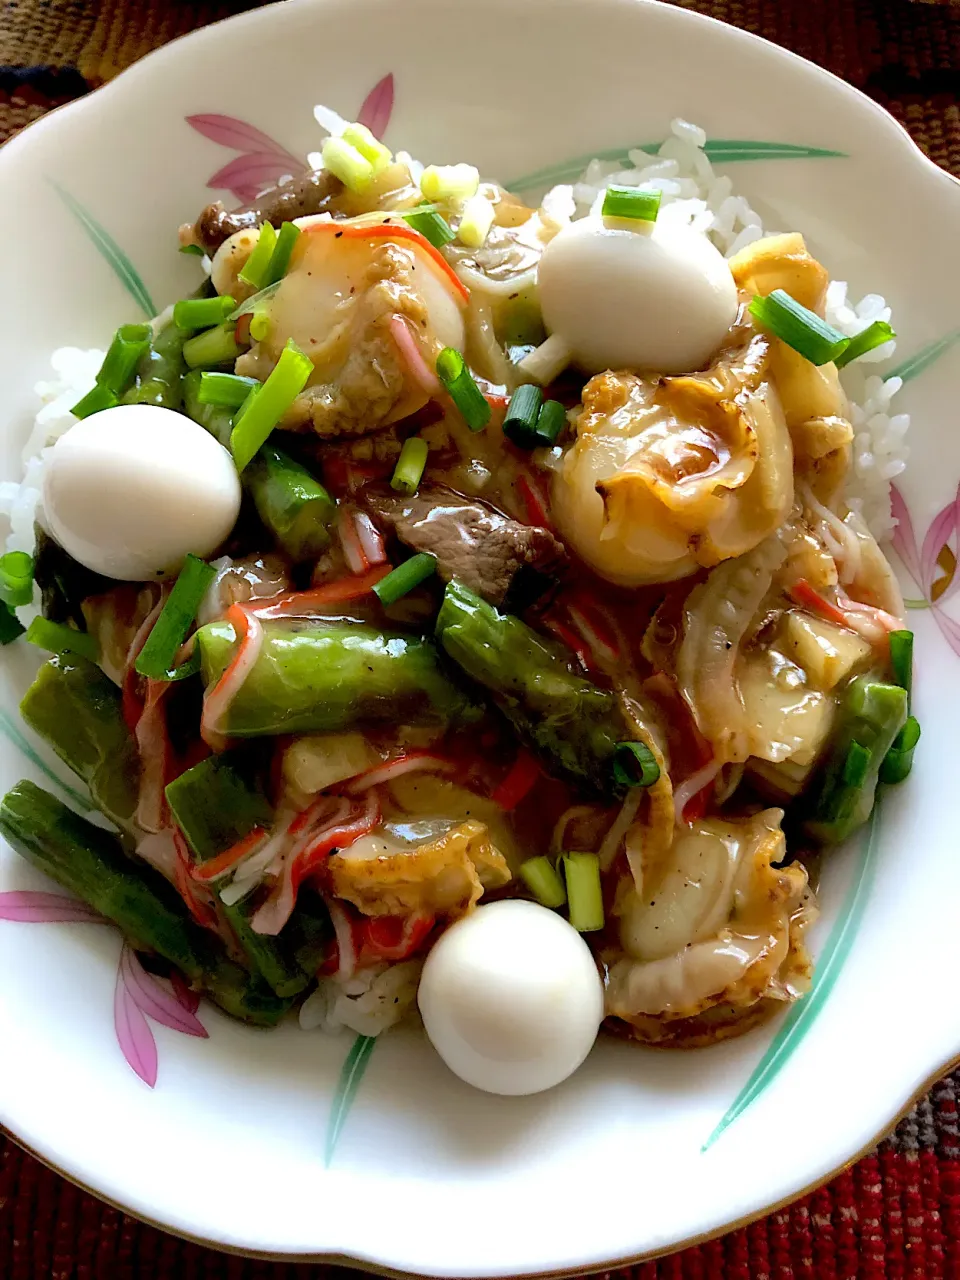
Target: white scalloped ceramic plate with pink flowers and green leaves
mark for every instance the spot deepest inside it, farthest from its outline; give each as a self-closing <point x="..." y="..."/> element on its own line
<point x="429" y="1176"/>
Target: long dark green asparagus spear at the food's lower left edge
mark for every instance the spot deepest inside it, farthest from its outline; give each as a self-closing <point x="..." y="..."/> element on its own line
<point x="92" y="863"/>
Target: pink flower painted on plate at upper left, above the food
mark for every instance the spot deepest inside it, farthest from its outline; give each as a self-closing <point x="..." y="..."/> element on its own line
<point x="262" y="162"/>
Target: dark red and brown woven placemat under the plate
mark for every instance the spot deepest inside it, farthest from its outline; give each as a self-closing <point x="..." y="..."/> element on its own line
<point x="897" y="1214"/>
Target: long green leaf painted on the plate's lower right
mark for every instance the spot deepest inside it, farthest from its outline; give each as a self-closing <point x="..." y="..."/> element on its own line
<point x="829" y="966"/>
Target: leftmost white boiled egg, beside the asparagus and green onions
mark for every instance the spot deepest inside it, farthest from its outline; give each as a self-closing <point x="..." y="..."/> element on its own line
<point x="130" y="492"/>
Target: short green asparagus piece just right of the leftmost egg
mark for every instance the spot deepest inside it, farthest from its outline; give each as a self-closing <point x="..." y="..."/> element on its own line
<point x="295" y="508"/>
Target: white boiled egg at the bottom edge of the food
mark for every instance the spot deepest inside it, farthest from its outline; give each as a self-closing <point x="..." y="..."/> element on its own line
<point x="511" y="999"/>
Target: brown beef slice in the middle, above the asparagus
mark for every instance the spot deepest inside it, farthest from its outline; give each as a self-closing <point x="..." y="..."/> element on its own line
<point x="473" y="542"/>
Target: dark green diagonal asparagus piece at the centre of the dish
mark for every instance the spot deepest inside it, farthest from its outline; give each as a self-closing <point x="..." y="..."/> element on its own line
<point x="572" y="724"/>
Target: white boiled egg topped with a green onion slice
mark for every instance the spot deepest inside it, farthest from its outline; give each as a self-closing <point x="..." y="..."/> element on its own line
<point x="633" y="295"/>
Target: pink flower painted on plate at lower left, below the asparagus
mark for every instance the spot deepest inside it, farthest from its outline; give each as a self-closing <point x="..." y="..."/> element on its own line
<point x="139" y="995"/>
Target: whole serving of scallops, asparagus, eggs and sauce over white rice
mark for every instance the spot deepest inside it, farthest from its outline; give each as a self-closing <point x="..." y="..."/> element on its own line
<point x="557" y="577"/>
